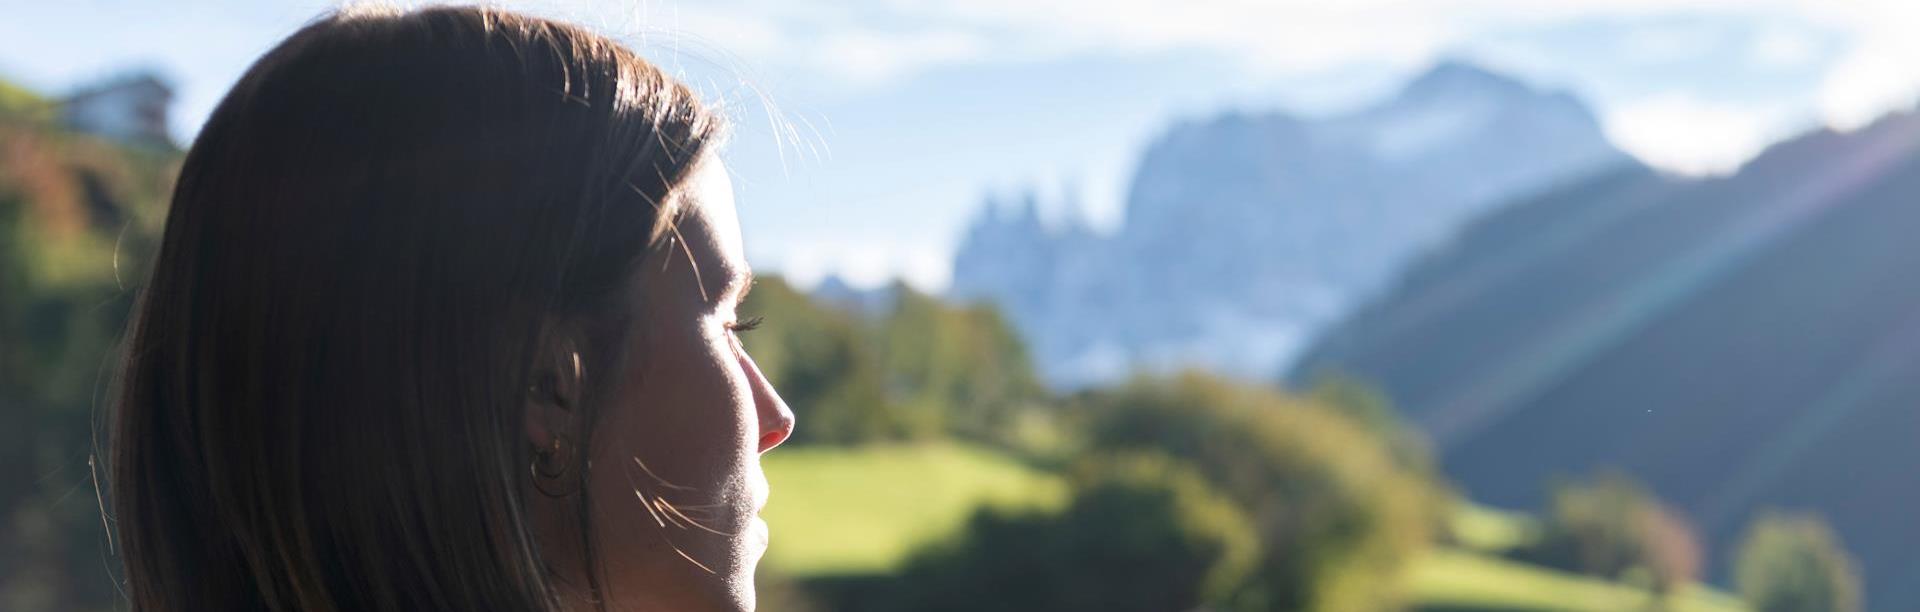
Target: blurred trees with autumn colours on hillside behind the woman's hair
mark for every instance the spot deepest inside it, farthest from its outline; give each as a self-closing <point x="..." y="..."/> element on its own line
<point x="78" y="222"/>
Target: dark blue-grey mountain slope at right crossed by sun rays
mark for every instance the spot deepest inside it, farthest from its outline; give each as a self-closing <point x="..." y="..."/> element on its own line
<point x="1737" y="344"/>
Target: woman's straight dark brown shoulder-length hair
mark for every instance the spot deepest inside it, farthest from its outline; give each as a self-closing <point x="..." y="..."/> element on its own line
<point x="381" y="233"/>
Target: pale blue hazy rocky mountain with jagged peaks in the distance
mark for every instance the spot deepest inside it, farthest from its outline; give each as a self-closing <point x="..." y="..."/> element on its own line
<point x="1245" y="235"/>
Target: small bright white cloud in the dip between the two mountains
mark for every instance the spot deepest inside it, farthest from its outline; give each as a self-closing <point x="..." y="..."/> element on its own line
<point x="1692" y="137"/>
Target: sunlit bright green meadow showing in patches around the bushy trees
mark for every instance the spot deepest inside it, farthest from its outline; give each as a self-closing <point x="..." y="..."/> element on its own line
<point x="865" y="509"/>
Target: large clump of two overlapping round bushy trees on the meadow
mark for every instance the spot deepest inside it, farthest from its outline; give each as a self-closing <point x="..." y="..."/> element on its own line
<point x="1193" y="492"/>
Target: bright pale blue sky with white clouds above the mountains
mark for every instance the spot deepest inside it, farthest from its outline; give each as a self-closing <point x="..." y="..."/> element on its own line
<point x="873" y="131"/>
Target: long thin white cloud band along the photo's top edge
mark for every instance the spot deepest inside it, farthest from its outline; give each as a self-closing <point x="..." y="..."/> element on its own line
<point x="876" y="39"/>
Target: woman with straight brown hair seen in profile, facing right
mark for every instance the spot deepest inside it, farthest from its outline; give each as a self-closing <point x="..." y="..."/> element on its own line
<point x="444" y="319"/>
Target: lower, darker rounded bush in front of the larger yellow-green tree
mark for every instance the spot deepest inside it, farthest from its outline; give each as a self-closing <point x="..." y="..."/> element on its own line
<point x="1143" y="534"/>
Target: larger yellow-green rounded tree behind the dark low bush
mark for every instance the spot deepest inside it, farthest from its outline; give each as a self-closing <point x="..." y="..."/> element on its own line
<point x="1333" y="509"/>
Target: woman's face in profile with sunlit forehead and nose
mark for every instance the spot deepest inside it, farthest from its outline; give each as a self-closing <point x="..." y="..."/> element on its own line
<point x="677" y="477"/>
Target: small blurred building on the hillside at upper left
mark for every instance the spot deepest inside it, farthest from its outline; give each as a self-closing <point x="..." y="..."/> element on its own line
<point x="132" y="108"/>
